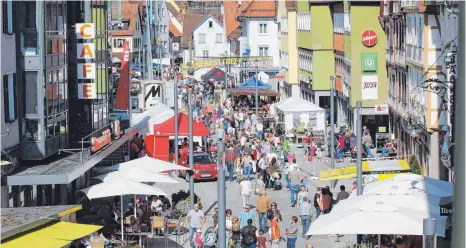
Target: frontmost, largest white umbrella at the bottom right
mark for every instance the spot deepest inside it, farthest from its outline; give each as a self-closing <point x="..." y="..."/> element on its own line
<point x="375" y="218"/>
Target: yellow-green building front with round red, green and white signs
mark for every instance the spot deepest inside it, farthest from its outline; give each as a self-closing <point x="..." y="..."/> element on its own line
<point x="366" y="72"/>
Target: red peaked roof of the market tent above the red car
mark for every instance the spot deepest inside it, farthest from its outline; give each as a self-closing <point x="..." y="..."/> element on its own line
<point x="168" y="127"/>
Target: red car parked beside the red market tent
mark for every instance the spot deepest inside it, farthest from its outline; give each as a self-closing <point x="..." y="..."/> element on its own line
<point x="204" y="167"/>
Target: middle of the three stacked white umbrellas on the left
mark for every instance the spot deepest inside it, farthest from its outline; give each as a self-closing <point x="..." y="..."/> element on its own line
<point x="136" y="174"/>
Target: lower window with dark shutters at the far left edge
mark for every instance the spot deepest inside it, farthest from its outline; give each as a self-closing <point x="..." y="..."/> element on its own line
<point x="9" y="97"/>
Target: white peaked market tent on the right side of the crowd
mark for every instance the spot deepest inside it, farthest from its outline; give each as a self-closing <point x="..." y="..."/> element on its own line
<point x="298" y="113"/>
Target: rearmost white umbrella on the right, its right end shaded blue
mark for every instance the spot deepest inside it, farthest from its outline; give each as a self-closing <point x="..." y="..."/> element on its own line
<point x="409" y="184"/>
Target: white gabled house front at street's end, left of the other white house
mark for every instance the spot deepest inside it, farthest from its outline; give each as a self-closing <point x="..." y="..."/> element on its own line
<point x="209" y="39"/>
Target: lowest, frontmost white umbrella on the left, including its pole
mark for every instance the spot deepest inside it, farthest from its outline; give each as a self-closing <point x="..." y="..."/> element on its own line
<point x="120" y="187"/>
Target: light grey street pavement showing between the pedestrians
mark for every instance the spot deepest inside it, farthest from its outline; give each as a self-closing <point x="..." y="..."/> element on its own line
<point x="208" y="193"/>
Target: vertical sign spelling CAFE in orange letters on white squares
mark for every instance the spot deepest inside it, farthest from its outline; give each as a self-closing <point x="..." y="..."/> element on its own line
<point x="85" y="54"/>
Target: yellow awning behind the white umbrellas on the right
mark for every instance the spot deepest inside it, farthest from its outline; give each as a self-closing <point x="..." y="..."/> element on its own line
<point x="368" y="167"/>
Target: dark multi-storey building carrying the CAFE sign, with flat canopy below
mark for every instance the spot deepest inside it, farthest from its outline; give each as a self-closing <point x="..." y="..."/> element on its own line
<point x="50" y="138"/>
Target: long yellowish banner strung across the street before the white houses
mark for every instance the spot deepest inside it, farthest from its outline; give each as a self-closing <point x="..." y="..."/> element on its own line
<point x="235" y="62"/>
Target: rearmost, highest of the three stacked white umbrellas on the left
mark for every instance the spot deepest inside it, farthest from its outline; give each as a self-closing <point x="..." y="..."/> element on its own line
<point x="148" y="163"/>
